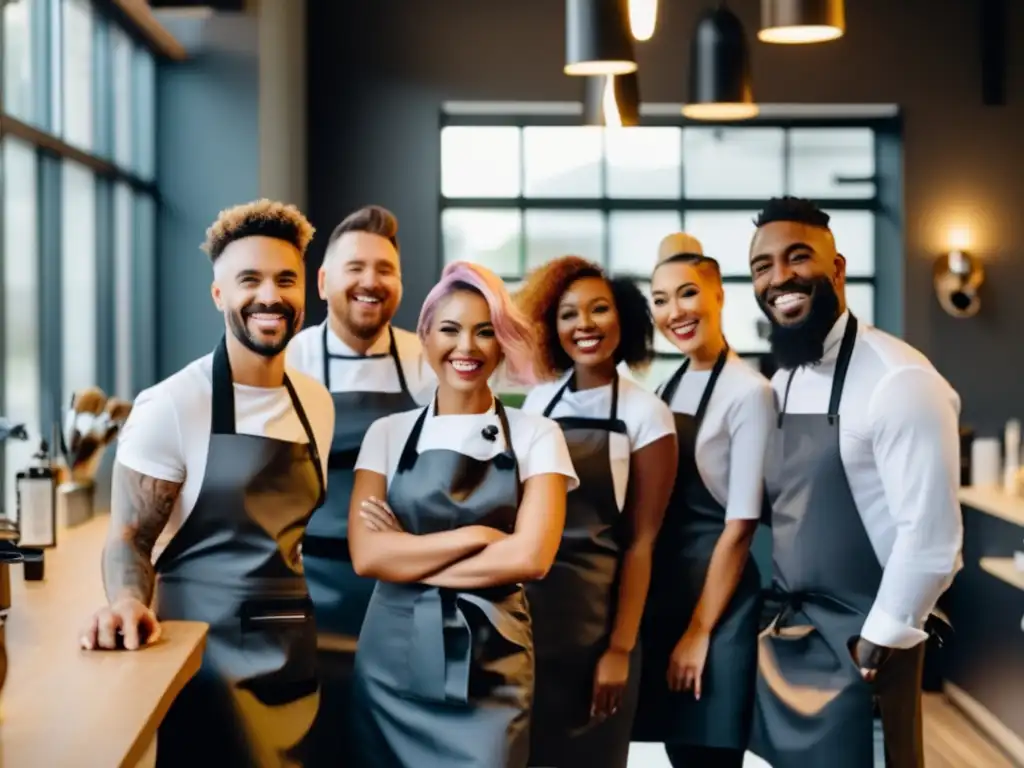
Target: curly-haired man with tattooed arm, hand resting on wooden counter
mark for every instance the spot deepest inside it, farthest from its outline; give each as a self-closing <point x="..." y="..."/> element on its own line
<point x="223" y="464"/>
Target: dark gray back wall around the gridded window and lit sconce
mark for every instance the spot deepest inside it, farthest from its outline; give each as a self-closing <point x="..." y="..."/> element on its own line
<point x="380" y="71"/>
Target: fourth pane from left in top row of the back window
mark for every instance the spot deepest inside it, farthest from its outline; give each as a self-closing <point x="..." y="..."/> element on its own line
<point x="734" y="163"/>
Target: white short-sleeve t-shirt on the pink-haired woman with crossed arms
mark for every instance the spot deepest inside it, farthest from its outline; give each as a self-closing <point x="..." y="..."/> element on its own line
<point x="538" y="443"/>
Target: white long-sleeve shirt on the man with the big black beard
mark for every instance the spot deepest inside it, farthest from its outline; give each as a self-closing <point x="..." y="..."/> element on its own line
<point x="900" y="442"/>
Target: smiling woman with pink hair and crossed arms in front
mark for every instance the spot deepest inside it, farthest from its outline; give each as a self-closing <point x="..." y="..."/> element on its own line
<point x="455" y="506"/>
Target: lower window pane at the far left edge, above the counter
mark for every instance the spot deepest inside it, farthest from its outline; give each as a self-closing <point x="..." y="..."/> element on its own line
<point x="22" y="385"/>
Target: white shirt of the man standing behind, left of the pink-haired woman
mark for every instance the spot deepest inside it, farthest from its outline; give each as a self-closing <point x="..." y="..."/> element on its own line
<point x="370" y="374"/>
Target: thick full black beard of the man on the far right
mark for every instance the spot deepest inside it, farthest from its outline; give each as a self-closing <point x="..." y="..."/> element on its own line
<point x="804" y="343"/>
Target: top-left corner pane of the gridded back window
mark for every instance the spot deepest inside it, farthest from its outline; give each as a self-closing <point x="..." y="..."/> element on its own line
<point x="480" y="162"/>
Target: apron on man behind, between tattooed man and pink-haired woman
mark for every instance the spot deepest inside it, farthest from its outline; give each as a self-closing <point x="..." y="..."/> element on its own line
<point x="340" y="596"/>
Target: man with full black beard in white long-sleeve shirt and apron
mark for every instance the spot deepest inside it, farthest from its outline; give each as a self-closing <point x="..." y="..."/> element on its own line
<point x="863" y="476"/>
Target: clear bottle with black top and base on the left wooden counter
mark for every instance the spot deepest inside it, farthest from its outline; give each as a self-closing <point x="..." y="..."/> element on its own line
<point x="36" y="492"/>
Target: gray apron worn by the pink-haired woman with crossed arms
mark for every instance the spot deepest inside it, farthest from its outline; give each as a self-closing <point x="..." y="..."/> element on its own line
<point x="444" y="677"/>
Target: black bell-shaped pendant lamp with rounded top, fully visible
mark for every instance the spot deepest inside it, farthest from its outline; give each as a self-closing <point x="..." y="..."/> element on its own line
<point x="720" y="70"/>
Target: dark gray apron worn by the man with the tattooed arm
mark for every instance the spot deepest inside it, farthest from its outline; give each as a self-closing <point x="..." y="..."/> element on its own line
<point x="236" y="565"/>
